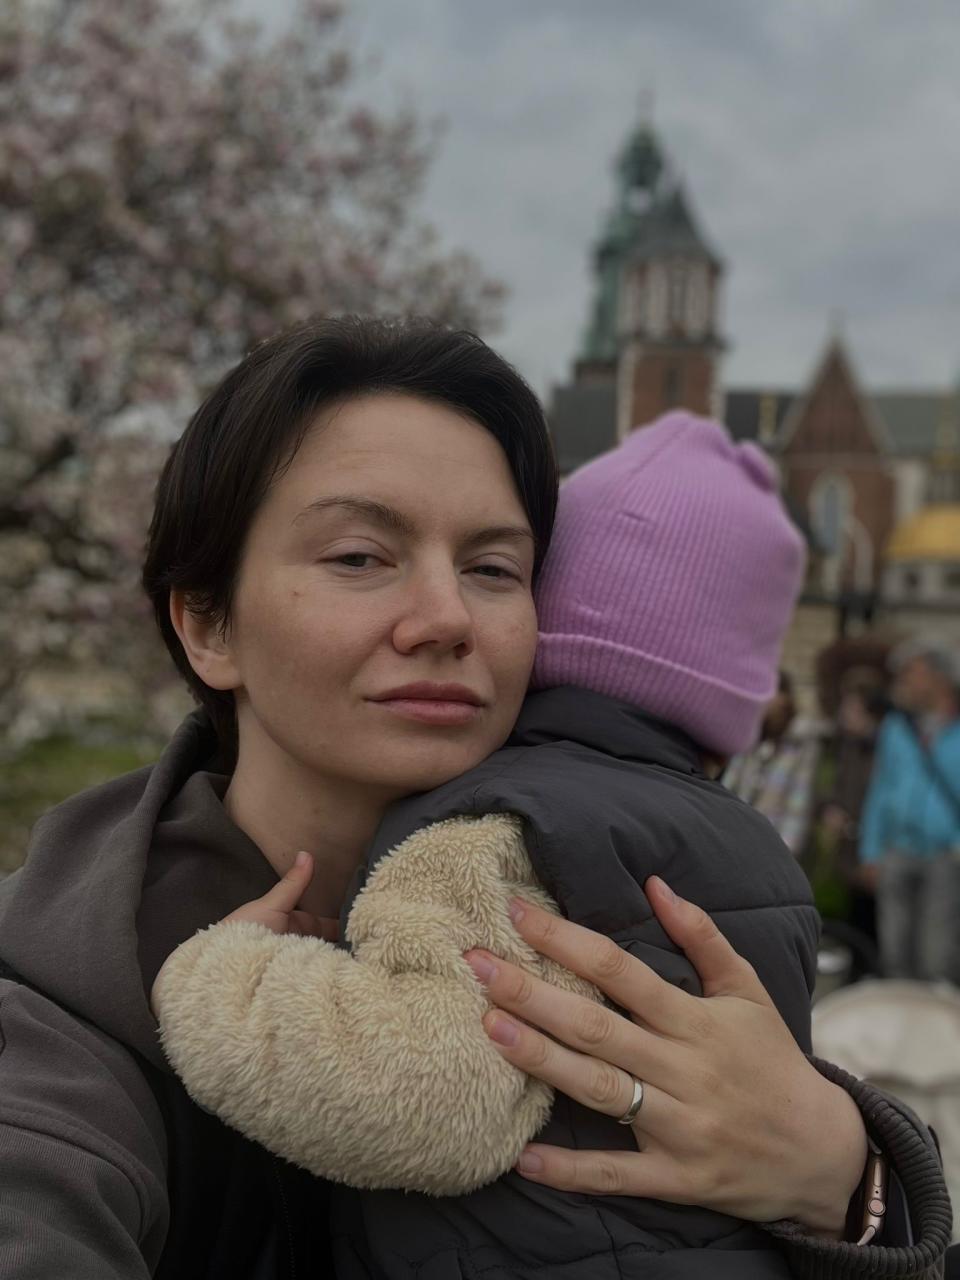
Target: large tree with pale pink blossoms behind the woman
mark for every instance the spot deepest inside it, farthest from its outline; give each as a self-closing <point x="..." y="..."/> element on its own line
<point x="175" y="186"/>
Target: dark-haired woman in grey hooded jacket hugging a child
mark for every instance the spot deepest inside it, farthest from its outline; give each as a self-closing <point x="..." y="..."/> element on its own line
<point x="252" y="572"/>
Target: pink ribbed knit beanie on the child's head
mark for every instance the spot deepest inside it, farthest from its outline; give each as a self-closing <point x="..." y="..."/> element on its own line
<point x="671" y="580"/>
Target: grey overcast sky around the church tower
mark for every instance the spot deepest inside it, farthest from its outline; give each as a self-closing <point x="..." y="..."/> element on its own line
<point x="820" y="141"/>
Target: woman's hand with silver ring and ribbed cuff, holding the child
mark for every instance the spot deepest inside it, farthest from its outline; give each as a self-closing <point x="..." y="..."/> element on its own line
<point x="734" y="1117"/>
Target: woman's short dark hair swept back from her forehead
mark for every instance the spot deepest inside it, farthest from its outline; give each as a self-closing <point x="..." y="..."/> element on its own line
<point x="252" y="426"/>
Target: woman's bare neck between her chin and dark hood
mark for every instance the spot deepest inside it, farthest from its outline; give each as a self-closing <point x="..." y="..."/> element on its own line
<point x="284" y="811"/>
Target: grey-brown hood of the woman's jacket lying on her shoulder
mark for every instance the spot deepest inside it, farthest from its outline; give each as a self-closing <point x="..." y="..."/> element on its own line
<point x="111" y="886"/>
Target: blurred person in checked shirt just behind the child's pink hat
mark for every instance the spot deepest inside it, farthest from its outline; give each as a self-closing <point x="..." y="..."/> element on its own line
<point x="778" y="776"/>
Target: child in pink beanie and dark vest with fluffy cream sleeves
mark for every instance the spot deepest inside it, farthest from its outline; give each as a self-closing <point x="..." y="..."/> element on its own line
<point x="662" y="609"/>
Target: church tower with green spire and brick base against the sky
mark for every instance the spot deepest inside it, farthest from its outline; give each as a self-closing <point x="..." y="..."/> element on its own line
<point x="653" y="328"/>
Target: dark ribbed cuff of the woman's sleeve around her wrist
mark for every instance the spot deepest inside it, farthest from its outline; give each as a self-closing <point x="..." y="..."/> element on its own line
<point x="917" y="1164"/>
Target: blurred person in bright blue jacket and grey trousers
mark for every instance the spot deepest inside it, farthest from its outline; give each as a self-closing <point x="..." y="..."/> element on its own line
<point x="911" y="830"/>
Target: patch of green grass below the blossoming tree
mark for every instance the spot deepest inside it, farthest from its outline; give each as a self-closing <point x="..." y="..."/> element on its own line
<point x="49" y="771"/>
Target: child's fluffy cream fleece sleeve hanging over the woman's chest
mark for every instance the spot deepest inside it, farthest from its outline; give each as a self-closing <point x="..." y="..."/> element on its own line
<point x="371" y="1068"/>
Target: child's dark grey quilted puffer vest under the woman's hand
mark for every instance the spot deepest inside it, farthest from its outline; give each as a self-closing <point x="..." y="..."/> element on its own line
<point x="607" y="797"/>
